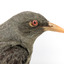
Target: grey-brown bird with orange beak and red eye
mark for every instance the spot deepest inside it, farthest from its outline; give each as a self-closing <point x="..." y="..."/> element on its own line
<point x="17" y="36"/>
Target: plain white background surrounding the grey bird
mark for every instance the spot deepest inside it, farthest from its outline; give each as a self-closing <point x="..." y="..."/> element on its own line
<point x="49" y="47"/>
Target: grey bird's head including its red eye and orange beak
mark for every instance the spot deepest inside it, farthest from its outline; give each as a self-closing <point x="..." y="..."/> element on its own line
<point x="31" y="25"/>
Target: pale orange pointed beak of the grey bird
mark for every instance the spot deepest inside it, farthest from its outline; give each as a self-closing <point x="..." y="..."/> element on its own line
<point x="53" y="27"/>
